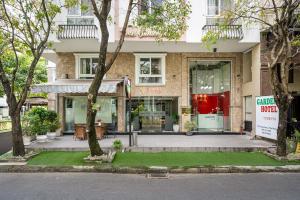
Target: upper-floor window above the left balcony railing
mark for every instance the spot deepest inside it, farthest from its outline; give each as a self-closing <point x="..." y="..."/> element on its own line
<point x="81" y="17"/>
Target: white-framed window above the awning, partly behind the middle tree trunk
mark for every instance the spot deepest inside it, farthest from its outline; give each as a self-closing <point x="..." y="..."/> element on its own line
<point x="86" y="66"/>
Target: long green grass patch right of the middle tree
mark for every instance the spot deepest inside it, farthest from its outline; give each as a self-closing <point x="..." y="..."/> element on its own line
<point x="190" y="159"/>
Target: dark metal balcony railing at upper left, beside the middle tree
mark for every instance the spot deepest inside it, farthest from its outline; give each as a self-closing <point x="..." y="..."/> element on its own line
<point x="77" y="31"/>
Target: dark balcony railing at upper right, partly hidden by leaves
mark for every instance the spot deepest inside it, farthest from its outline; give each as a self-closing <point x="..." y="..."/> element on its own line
<point x="226" y="32"/>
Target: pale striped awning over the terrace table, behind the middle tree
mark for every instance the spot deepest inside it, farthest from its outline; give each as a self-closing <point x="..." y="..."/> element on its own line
<point x="75" y="86"/>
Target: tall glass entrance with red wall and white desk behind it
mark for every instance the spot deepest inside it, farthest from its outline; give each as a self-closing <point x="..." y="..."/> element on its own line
<point x="210" y="94"/>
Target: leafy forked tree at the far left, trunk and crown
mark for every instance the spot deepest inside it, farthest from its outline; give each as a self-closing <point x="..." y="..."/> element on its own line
<point x="25" y="27"/>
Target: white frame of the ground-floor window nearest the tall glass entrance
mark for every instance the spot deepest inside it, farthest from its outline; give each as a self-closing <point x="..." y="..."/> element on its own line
<point x="138" y="75"/>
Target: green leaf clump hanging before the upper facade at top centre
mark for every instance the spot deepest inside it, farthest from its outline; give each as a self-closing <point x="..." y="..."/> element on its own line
<point x="168" y="19"/>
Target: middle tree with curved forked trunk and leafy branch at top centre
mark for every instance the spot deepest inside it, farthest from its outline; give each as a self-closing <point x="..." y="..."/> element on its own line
<point x="167" y="19"/>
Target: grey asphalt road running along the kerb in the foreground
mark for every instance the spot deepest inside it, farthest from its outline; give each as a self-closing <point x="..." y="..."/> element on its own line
<point x="73" y="186"/>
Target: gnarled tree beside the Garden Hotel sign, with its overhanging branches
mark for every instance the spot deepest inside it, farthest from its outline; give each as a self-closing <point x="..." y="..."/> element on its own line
<point x="277" y="17"/>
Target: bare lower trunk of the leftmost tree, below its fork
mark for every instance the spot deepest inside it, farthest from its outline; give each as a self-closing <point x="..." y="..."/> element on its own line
<point x="18" y="146"/>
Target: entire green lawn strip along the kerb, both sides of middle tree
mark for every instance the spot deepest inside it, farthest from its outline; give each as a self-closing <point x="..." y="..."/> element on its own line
<point x="169" y="159"/>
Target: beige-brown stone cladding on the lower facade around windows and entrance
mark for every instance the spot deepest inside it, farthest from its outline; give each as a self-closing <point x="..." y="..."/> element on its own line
<point x="177" y="78"/>
